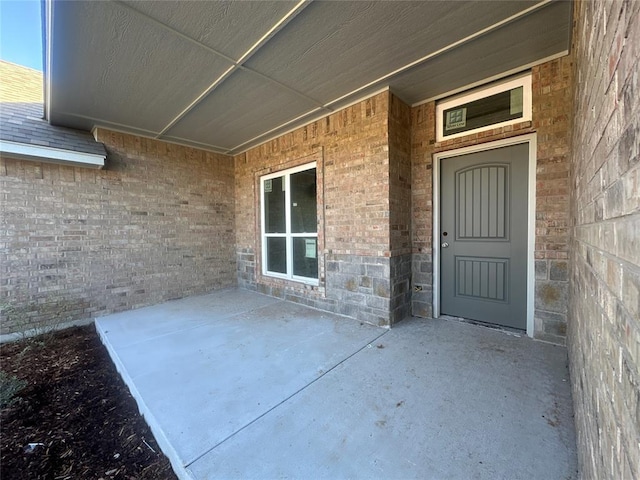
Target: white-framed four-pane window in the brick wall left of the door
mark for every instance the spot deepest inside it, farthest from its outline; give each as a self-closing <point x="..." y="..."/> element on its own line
<point x="290" y="224"/>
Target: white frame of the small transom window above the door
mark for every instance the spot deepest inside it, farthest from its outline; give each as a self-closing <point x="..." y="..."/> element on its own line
<point x="523" y="81"/>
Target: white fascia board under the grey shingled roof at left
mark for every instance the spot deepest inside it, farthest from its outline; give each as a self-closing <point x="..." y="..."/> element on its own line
<point x="40" y="153"/>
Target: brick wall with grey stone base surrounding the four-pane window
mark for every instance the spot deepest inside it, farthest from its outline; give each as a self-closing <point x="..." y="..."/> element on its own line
<point x="352" y="151"/>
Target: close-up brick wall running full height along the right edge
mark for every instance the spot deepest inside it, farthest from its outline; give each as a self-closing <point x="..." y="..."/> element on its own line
<point x="604" y="307"/>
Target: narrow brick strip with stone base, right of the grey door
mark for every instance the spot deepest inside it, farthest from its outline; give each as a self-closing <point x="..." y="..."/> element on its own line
<point x="552" y="88"/>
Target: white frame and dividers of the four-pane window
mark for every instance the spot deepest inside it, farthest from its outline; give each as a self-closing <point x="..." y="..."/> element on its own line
<point x="288" y="235"/>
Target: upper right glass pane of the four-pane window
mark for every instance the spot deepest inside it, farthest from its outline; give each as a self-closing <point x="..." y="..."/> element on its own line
<point x="303" y="202"/>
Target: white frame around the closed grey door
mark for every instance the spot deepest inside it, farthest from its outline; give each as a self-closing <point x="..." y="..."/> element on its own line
<point x="530" y="139"/>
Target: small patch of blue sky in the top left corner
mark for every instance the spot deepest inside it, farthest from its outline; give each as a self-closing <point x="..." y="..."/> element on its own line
<point x="21" y="32"/>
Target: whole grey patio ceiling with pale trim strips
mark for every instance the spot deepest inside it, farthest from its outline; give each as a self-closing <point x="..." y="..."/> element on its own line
<point x="226" y="76"/>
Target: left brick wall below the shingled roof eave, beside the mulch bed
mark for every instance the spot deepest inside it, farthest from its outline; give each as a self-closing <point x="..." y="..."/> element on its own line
<point x="157" y="223"/>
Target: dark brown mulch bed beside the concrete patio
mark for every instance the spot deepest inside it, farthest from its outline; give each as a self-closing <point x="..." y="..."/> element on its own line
<point x="76" y="412"/>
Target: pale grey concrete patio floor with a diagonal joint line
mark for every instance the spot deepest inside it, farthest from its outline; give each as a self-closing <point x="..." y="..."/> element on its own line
<point x="239" y="385"/>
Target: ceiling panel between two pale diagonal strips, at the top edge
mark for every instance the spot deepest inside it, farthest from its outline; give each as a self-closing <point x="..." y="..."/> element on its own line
<point x="325" y="44"/>
